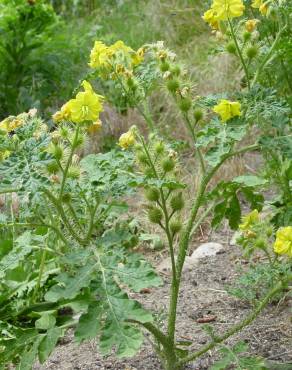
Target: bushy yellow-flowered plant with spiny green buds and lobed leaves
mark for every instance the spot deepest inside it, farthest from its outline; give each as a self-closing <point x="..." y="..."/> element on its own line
<point x="67" y="257"/>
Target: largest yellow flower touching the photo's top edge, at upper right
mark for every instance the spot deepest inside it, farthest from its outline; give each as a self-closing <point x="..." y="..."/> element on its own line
<point x="225" y="9"/>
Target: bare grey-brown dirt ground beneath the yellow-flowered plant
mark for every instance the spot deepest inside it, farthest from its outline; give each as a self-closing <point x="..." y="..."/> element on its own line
<point x="203" y="293"/>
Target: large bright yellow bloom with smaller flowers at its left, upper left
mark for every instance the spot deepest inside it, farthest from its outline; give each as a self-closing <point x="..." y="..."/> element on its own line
<point x="86" y="106"/>
